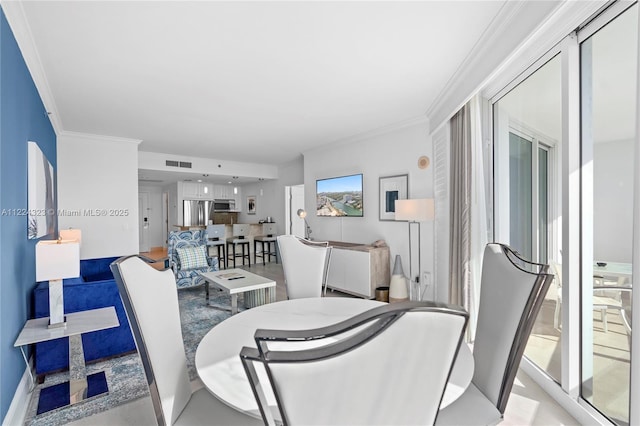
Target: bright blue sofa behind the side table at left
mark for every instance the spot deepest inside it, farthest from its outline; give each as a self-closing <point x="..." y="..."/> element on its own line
<point x="95" y="288"/>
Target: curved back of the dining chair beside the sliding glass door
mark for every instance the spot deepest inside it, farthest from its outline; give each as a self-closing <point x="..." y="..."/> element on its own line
<point x="511" y="294"/>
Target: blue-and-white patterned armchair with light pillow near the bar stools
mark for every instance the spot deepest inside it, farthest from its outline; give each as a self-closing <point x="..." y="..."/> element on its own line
<point x="187" y="252"/>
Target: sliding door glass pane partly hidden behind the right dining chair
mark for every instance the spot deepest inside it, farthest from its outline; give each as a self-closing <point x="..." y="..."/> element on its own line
<point x="527" y="134"/>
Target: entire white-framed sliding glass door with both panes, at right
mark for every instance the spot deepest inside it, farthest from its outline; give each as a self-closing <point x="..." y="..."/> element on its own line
<point x="564" y="144"/>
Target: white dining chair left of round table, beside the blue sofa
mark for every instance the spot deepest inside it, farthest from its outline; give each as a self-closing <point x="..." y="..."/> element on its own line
<point x="150" y="300"/>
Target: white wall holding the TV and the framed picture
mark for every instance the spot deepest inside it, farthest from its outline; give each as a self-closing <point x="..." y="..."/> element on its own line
<point x="388" y="154"/>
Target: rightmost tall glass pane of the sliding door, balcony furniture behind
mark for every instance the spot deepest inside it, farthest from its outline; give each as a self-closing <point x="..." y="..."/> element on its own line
<point x="608" y="91"/>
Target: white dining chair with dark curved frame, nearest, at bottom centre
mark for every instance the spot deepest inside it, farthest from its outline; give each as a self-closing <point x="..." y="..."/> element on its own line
<point x="386" y="366"/>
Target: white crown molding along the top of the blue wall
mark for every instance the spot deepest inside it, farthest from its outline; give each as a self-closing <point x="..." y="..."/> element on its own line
<point x="14" y="12"/>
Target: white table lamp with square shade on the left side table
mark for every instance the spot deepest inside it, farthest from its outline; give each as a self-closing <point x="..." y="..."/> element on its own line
<point x="56" y="260"/>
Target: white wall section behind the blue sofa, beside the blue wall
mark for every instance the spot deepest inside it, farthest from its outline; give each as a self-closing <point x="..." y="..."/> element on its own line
<point x="98" y="193"/>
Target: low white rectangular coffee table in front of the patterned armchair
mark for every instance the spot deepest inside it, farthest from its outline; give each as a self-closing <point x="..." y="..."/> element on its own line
<point x="259" y="290"/>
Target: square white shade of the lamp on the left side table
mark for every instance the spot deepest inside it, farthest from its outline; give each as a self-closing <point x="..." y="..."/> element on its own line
<point x="57" y="259"/>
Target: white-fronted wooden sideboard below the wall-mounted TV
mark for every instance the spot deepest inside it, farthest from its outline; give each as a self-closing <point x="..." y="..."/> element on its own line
<point x="358" y="269"/>
